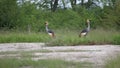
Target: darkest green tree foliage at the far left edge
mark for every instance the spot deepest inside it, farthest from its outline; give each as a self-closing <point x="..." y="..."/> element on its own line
<point x="8" y="13"/>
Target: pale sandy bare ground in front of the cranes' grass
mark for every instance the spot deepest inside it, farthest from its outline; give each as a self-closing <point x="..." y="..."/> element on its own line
<point x="96" y="54"/>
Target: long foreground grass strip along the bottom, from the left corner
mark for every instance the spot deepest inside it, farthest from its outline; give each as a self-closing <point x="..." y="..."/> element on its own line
<point x="28" y="63"/>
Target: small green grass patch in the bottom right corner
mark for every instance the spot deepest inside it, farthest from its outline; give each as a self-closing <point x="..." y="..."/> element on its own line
<point x="113" y="63"/>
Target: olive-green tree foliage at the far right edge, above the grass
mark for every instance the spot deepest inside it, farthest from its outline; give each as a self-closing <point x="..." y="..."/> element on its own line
<point x="111" y="15"/>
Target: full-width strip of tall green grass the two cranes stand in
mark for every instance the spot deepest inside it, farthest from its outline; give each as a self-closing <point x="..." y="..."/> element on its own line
<point x="63" y="37"/>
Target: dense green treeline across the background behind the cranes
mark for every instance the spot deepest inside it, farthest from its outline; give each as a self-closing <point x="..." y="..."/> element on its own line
<point x="31" y="15"/>
